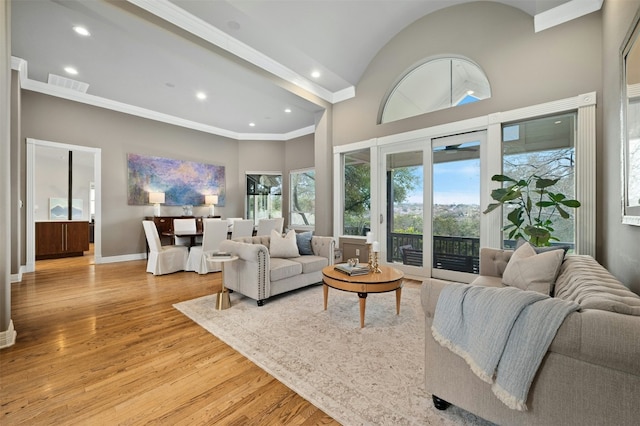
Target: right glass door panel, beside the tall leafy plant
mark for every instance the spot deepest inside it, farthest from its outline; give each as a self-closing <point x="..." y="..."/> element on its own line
<point x="455" y="207"/>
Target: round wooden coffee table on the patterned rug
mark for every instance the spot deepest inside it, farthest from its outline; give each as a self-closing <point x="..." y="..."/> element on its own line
<point x="389" y="279"/>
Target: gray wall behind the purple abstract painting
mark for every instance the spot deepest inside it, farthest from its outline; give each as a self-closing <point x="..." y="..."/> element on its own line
<point x="58" y="120"/>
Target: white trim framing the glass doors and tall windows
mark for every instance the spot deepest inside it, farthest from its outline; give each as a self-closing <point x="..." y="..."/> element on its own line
<point x="490" y="235"/>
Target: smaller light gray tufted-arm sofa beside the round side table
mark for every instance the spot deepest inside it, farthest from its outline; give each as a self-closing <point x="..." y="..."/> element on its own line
<point x="258" y="275"/>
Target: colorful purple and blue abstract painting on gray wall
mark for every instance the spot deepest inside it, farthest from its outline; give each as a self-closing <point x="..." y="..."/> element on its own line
<point x="183" y="182"/>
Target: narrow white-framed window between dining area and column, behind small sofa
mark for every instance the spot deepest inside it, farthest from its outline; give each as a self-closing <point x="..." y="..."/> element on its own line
<point x="302" y="198"/>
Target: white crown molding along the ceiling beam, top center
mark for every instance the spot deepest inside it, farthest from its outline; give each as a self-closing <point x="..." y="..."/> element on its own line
<point x="196" y="26"/>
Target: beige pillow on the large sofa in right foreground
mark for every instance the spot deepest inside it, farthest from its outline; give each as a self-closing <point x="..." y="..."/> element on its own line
<point x="529" y="270"/>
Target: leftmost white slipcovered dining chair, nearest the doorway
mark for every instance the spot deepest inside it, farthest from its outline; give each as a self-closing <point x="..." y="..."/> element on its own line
<point x="163" y="259"/>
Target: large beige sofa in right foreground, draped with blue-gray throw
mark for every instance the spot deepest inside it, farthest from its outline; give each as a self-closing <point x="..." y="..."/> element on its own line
<point x="590" y="374"/>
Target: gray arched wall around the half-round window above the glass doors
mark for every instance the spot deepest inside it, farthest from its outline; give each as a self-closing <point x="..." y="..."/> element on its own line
<point x="524" y="68"/>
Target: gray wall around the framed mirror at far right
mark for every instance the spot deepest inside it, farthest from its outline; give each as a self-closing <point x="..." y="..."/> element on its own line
<point x="620" y="244"/>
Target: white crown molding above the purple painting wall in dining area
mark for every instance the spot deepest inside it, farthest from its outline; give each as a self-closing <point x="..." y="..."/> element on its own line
<point x="21" y="66"/>
